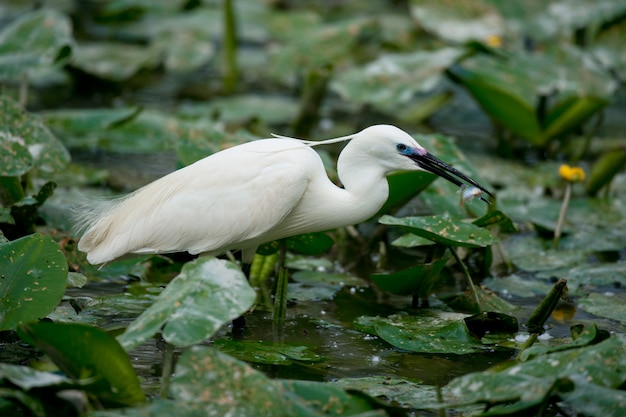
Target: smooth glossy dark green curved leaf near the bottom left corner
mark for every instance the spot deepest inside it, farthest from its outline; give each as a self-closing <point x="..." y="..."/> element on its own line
<point x="84" y="352"/>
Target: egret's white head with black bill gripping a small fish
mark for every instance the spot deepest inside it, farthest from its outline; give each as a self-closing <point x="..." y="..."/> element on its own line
<point x="396" y="150"/>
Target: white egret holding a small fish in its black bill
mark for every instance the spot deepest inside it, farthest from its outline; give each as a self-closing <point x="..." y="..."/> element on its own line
<point x="255" y="193"/>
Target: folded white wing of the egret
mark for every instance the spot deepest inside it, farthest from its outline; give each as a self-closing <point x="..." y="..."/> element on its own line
<point x="219" y="203"/>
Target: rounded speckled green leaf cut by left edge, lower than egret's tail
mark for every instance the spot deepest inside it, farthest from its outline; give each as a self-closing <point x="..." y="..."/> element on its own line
<point x="33" y="277"/>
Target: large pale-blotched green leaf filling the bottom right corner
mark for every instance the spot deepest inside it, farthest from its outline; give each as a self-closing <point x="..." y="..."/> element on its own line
<point x="567" y="375"/>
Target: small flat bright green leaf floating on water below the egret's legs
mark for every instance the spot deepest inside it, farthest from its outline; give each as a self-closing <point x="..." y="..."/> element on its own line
<point x="267" y="353"/>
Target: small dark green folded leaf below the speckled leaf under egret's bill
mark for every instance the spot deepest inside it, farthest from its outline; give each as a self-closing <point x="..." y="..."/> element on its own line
<point x="417" y="280"/>
